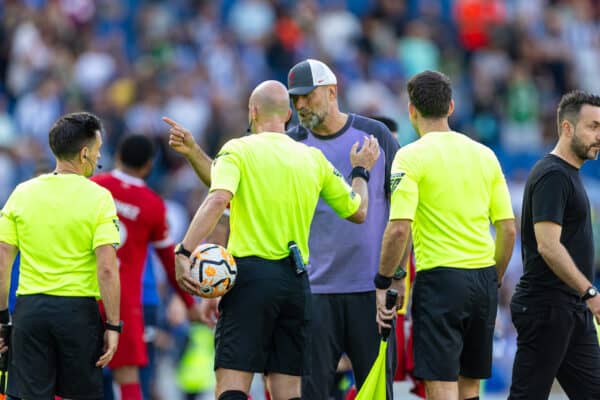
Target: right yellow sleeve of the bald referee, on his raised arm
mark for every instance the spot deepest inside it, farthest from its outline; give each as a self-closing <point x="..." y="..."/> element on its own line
<point x="335" y="190"/>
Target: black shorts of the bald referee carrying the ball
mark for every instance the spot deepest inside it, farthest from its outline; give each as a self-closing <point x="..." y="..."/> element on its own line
<point x="263" y="322"/>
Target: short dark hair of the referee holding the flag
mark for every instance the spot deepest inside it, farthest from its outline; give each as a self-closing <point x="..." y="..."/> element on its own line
<point x="431" y="93"/>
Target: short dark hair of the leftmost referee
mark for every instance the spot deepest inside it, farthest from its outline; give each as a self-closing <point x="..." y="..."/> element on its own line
<point x="72" y="132"/>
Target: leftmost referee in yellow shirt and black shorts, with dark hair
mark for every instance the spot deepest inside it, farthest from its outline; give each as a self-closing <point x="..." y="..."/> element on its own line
<point x="65" y="227"/>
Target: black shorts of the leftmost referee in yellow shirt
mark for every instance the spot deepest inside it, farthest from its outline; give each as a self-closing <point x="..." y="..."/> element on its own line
<point x="55" y="344"/>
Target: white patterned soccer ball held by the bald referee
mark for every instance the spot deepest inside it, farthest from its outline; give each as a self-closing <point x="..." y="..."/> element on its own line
<point x="214" y="268"/>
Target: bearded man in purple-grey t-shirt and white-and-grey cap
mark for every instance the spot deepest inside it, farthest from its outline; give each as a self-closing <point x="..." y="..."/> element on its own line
<point x="344" y="258"/>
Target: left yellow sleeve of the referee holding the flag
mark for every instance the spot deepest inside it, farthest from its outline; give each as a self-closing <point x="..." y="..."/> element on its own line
<point x="404" y="186"/>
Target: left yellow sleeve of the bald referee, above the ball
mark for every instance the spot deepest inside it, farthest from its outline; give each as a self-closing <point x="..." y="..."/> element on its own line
<point x="226" y="169"/>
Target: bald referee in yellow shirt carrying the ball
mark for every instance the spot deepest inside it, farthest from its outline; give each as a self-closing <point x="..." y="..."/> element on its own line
<point x="273" y="184"/>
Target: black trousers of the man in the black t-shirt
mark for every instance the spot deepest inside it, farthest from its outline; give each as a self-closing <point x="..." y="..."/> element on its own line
<point x="555" y="340"/>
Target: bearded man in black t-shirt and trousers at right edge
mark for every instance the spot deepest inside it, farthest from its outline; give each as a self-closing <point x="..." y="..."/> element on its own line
<point x="555" y="301"/>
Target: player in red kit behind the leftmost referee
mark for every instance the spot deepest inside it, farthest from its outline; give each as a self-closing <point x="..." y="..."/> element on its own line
<point x="143" y="221"/>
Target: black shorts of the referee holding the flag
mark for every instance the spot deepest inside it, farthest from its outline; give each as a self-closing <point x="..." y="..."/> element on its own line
<point x="454" y="312"/>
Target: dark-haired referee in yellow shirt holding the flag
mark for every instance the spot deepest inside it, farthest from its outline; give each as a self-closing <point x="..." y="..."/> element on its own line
<point x="446" y="188"/>
